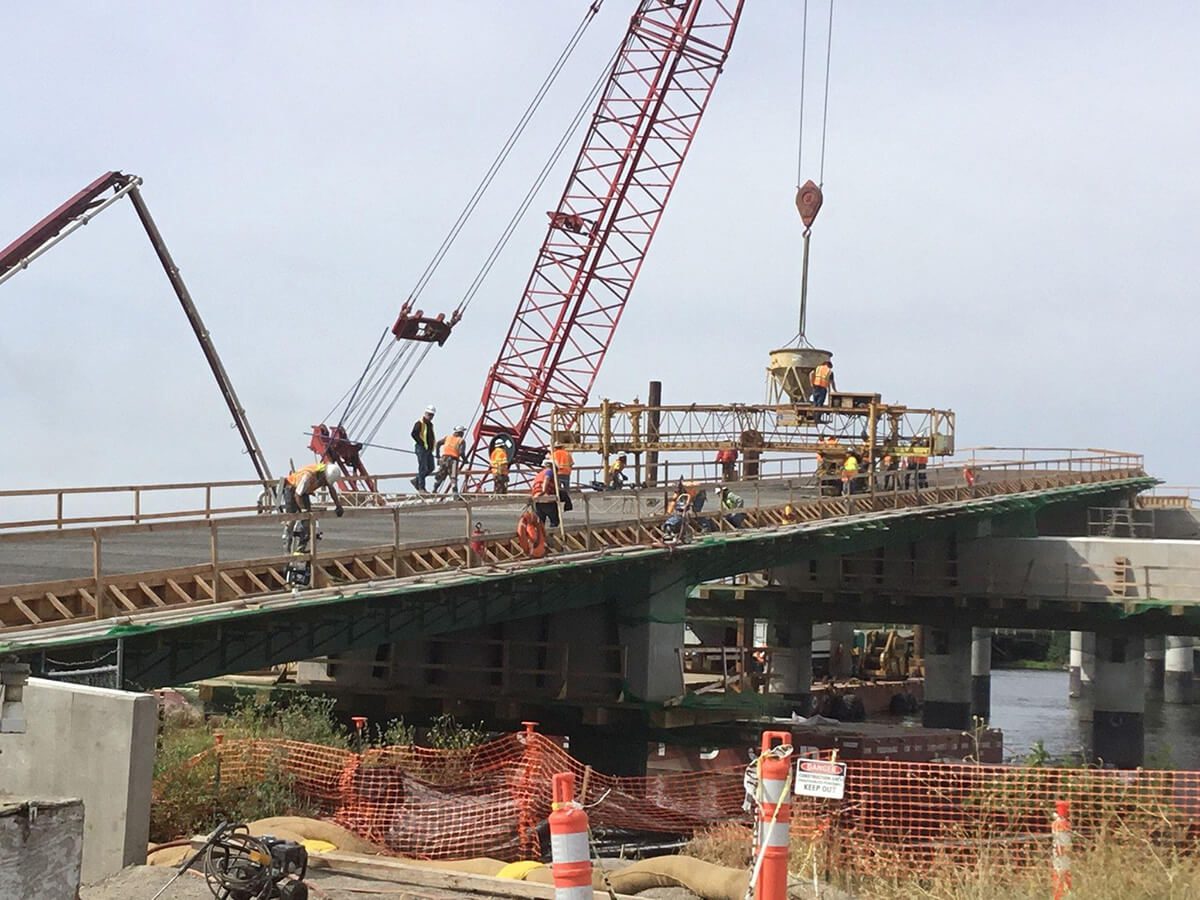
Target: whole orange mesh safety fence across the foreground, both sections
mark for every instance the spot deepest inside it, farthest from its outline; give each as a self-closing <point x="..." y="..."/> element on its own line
<point x="490" y="801"/>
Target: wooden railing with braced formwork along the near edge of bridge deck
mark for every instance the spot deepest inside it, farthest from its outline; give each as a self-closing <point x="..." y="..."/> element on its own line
<point x="607" y="526"/>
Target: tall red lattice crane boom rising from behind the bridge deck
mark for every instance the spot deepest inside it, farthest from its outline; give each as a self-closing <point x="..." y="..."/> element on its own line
<point x="602" y="230"/>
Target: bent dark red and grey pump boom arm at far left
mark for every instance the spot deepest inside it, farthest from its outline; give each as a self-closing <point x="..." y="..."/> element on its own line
<point x="77" y="213"/>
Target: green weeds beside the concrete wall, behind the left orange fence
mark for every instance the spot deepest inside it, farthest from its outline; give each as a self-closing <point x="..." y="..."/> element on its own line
<point x="193" y="797"/>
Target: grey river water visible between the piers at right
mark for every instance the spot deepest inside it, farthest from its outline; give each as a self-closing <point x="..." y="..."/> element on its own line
<point x="1031" y="706"/>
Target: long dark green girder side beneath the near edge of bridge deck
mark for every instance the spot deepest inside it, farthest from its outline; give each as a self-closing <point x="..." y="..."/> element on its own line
<point x="227" y="639"/>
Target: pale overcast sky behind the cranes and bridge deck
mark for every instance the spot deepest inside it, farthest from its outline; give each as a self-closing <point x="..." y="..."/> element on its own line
<point x="1010" y="230"/>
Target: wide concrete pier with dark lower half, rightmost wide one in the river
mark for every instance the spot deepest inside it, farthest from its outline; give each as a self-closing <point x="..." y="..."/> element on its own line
<point x="1120" y="701"/>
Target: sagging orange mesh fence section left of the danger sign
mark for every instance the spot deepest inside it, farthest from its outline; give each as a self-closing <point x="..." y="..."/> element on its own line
<point x="485" y="801"/>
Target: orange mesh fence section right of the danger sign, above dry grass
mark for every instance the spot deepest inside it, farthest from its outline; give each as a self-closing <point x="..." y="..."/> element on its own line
<point x="937" y="814"/>
